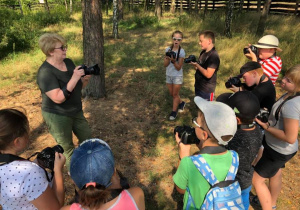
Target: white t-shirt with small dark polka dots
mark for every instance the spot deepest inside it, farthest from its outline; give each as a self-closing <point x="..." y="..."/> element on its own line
<point x="20" y="183"/>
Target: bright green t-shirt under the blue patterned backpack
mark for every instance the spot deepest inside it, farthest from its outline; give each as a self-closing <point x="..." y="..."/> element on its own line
<point x="187" y="175"/>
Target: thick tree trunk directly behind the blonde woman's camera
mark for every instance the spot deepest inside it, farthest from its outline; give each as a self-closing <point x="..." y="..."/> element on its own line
<point x="93" y="42"/>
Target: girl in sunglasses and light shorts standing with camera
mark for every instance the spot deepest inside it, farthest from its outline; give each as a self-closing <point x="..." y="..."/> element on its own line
<point x="173" y="62"/>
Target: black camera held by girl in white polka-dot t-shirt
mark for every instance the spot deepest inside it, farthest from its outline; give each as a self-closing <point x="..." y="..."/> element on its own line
<point x="46" y="157"/>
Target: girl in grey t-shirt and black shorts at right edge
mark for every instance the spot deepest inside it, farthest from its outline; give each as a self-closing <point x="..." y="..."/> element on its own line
<point x="280" y="143"/>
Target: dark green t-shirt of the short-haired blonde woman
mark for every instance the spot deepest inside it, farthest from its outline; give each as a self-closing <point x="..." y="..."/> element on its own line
<point x="49" y="78"/>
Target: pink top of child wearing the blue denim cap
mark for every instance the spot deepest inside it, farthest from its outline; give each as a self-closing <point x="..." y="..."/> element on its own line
<point x="125" y="201"/>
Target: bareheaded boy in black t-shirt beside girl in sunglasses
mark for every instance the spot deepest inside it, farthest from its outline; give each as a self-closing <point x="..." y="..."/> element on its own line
<point x="206" y="67"/>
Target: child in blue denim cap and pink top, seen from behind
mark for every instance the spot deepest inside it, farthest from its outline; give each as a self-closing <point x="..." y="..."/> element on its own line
<point x="93" y="171"/>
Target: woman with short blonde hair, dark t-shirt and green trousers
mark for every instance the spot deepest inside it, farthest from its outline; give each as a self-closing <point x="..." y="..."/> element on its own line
<point x="60" y="83"/>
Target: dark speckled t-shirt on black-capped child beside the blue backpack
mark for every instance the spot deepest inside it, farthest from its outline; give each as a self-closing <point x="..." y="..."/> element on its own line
<point x="246" y="144"/>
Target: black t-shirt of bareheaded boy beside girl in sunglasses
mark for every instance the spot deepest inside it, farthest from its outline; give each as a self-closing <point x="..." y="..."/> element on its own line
<point x="206" y="60"/>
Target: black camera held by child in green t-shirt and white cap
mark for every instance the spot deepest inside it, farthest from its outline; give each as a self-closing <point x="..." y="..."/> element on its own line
<point x="187" y="134"/>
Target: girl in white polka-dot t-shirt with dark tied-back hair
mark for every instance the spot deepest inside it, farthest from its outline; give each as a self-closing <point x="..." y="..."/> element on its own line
<point x="23" y="183"/>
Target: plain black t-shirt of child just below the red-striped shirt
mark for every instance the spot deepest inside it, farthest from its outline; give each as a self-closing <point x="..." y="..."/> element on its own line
<point x="266" y="94"/>
